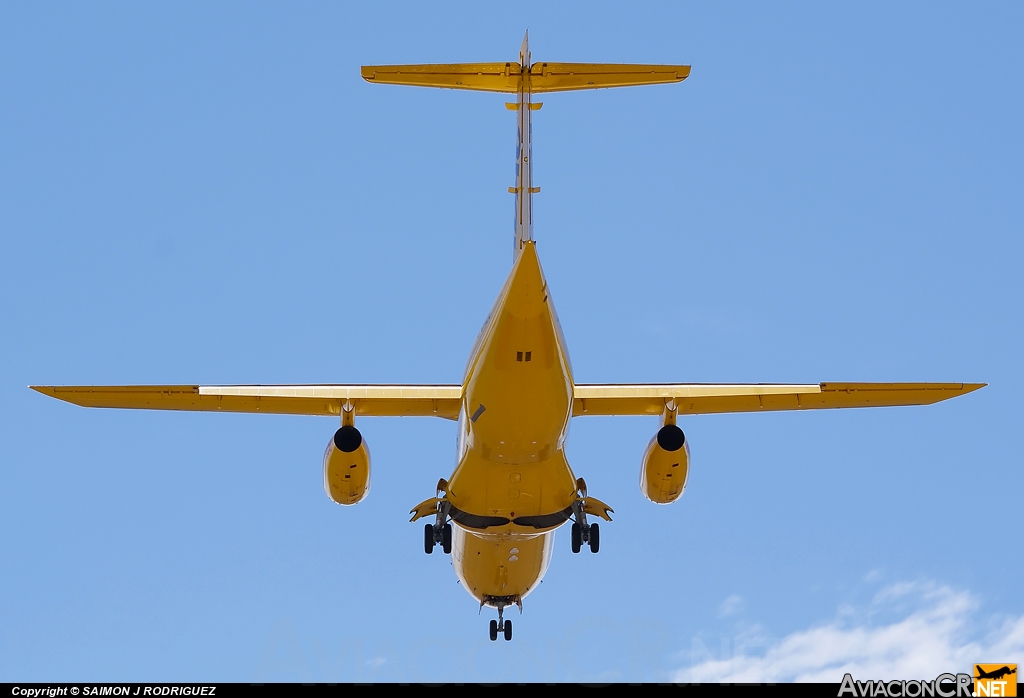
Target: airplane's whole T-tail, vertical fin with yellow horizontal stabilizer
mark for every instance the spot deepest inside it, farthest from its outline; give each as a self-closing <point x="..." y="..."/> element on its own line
<point x="525" y="79"/>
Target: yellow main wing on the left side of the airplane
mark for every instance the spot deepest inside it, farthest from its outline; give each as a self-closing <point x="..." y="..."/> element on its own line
<point x="382" y="401"/>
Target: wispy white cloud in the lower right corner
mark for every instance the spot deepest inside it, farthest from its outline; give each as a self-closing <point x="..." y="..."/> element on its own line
<point x="933" y="632"/>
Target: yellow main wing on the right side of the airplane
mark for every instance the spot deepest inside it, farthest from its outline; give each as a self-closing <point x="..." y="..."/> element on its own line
<point x="705" y="399"/>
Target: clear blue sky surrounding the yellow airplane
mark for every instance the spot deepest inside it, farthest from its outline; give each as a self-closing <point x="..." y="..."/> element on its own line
<point x="210" y="194"/>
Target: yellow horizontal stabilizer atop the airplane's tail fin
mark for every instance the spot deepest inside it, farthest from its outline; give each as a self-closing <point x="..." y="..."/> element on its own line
<point x="540" y="78"/>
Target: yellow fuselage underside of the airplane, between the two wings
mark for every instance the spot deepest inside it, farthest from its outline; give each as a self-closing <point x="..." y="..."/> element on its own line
<point x="514" y="486"/>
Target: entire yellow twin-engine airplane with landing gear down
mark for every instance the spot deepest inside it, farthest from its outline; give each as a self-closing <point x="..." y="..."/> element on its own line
<point x="513" y="486"/>
